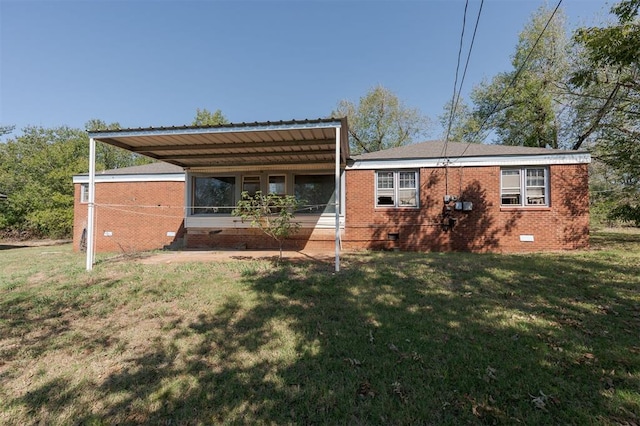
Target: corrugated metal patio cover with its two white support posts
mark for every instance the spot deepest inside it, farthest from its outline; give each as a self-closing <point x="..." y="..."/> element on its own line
<point x="318" y="142"/>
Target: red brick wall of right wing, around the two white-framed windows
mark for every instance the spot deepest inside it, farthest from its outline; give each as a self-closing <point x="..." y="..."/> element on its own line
<point x="563" y="225"/>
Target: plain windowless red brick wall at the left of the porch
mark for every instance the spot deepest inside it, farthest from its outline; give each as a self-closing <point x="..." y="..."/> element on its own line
<point x="139" y="215"/>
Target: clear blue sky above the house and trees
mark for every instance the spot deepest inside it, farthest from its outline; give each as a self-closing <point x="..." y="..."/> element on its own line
<point x="152" y="63"/>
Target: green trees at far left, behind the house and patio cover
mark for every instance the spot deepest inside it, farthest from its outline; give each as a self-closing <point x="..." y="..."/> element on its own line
<point x="36" y="171"/>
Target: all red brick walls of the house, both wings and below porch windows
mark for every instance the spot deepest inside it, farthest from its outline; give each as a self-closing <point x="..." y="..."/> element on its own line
<point x="487" y="228"/>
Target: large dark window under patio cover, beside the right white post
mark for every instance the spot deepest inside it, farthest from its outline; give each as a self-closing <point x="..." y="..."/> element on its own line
<point x="315" y="192"/>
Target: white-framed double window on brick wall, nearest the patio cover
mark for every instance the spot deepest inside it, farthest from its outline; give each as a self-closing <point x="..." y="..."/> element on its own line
<point x="397" y="189"/>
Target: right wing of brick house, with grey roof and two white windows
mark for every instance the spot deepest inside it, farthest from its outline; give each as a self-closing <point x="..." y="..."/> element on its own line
<point x="498" y="198"/>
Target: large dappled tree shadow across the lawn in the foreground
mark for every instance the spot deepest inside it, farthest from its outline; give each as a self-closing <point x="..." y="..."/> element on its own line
<point x="393" y="339"/>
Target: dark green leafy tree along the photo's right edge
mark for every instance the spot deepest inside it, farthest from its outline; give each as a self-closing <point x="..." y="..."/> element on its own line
<point x="610" y="78"/>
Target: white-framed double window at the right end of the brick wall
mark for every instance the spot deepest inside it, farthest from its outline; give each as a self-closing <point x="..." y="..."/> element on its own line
<point x="524" y="187"/>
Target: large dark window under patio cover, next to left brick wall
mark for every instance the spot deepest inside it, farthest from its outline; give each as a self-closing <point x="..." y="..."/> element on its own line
<point x="213" y="195"/>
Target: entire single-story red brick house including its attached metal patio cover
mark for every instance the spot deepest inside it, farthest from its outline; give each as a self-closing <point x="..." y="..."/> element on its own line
<point x="430" y="196"/>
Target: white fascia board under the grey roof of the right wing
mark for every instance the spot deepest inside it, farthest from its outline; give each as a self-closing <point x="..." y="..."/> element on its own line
<point x="515" y="160"/>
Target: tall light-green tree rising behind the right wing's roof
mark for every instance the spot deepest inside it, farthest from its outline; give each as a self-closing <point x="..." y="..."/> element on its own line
<point x="523" y="106"/>
